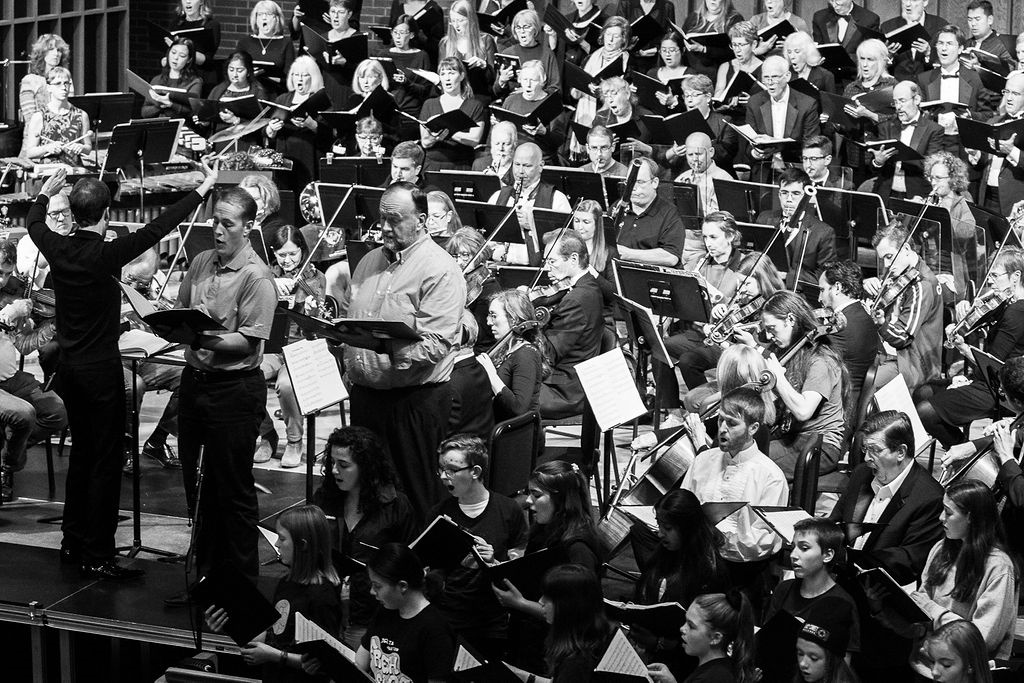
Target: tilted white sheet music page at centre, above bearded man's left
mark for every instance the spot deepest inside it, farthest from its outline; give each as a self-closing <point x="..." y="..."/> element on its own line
<point x="611" y="391"/>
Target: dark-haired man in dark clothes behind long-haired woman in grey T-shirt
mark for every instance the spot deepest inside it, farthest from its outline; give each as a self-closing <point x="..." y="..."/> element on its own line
<point x="841" y="288"/>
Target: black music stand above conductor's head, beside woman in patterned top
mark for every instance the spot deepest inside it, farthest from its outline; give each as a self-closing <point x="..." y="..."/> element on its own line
<point x="140" y="143"/>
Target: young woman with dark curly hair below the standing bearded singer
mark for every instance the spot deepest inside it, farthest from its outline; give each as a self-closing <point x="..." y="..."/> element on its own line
<point x="360" y="489"/>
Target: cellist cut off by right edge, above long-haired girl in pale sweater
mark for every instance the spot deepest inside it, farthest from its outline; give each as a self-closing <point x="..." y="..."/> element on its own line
<point x="1002" y="442"/>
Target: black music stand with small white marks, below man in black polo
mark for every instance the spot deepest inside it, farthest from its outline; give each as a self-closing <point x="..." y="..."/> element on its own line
<point x="668" y="293"/>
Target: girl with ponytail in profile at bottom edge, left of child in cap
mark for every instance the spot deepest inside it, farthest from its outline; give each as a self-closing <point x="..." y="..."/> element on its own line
<point x="719" y="632"/>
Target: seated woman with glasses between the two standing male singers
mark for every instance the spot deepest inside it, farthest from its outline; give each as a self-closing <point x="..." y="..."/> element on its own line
<point x="305" y="292"/>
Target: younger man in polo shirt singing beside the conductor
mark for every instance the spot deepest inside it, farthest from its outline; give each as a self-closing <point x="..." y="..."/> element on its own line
<point x="223" y="392"/>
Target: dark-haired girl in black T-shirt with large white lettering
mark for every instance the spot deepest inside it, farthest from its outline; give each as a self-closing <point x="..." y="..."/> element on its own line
<point x="408" y="641"/>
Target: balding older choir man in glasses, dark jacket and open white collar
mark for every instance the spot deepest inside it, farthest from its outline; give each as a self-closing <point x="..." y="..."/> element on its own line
<point x="779" y="112"/>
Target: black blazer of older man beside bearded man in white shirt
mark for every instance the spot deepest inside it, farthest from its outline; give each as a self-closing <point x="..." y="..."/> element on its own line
<point x="912" y="521"/>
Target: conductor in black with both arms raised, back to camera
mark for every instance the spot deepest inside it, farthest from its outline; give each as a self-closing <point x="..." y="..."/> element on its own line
<point x="86" y="270"/>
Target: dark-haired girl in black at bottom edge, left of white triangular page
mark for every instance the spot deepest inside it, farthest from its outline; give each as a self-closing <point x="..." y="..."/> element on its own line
<point x="578" y="630"/>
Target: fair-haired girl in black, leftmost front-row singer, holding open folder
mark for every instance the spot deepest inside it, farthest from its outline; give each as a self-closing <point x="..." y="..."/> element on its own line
<point x="311" y="587"/>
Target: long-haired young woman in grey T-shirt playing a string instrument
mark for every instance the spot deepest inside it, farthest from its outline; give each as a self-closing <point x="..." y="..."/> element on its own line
<point x="814" y="387"/>
